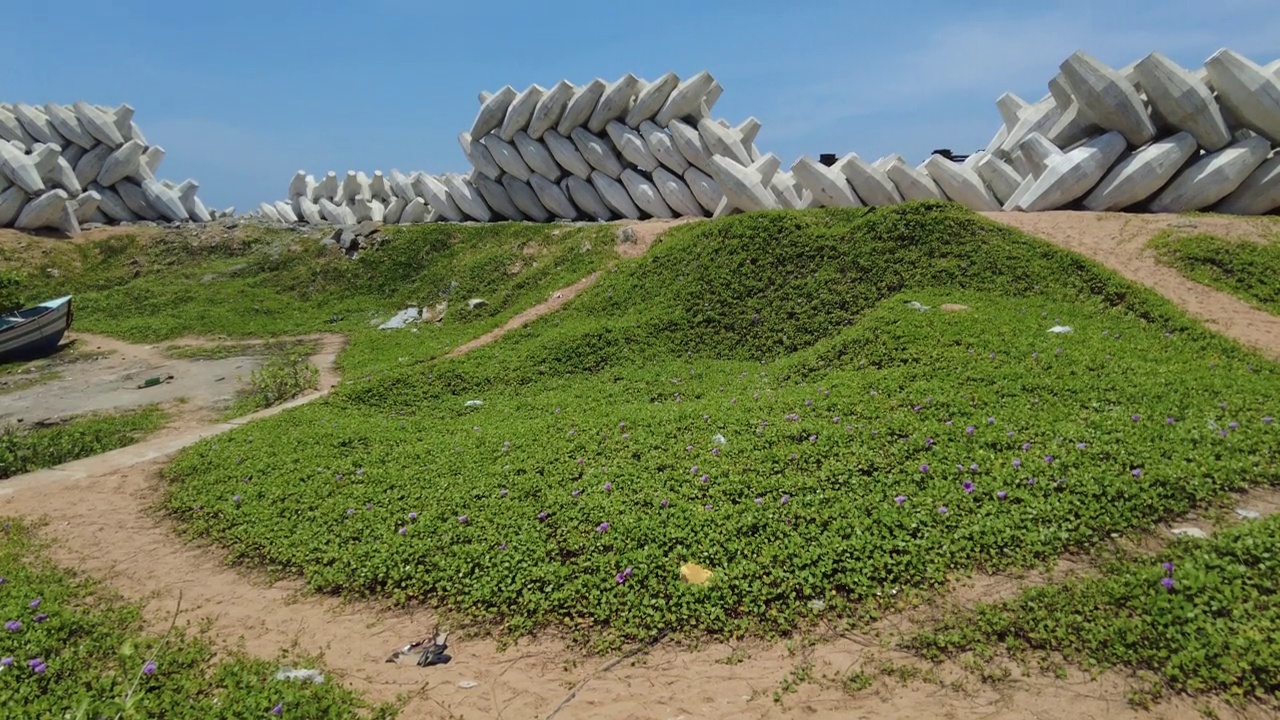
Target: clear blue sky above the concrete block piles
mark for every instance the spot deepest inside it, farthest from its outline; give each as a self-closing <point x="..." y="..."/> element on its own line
<point x="243" y="94"/>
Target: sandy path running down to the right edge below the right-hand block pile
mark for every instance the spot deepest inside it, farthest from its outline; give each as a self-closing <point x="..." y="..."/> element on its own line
<point x="1118" y="240"/>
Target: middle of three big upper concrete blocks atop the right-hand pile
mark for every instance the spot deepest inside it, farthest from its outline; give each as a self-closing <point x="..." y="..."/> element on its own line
<point x="1180" y="99"/>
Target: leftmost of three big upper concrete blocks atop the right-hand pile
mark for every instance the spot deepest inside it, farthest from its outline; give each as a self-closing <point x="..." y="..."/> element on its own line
<point x="1108" y="99"/>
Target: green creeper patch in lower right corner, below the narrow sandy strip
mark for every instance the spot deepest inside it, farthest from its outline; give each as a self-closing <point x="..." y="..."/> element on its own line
<point x="1205" y="617"/>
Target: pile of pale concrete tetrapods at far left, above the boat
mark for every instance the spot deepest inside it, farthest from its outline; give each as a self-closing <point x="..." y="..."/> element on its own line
<point x="62" y="166"/>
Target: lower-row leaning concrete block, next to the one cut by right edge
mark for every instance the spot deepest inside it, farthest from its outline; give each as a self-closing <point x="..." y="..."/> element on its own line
<point x="1213" y="177"/>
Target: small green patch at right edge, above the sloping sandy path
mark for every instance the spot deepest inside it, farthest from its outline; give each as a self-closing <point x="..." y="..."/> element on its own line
<point x="1245" y="270"/>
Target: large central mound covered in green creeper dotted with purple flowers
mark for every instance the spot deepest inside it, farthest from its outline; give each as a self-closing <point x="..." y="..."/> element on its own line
<point x="756" y="397"/>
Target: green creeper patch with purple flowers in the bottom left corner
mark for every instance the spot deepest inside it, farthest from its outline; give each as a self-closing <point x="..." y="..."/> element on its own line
<point x="74" y="650"/>
